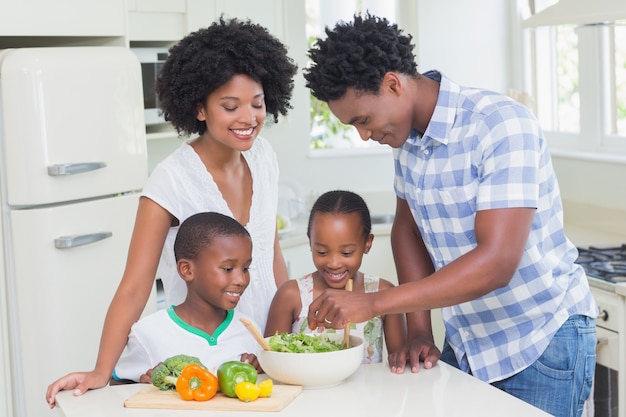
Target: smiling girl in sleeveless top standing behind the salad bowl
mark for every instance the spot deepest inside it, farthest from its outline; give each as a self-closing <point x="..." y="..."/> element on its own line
<point x="339" y="235"/>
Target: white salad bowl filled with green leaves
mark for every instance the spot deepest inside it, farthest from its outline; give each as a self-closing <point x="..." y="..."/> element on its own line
<point x="312" y="370"/>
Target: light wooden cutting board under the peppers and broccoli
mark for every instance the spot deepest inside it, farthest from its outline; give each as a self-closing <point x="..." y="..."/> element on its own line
<point x="152" y="397"/>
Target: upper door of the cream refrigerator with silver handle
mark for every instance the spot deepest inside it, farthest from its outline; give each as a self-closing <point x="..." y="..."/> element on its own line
<point x="73" y="123"/>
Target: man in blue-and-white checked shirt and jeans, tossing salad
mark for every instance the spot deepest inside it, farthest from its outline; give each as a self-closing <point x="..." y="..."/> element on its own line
<point x="478" y="227"/>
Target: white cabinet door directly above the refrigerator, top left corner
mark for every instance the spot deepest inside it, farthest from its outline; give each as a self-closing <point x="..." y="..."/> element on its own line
<point x="62" y="18"/>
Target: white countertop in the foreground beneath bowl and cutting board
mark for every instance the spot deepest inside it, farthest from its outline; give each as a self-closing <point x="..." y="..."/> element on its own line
<point x="372" y="391"/>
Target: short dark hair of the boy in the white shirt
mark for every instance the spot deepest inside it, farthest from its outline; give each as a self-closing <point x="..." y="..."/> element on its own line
<point x="198" y="231"/>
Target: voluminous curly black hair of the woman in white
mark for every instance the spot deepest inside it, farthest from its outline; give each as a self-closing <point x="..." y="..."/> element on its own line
<point x="208" y="58"/>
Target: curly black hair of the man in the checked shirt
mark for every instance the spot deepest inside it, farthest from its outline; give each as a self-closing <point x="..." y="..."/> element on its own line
<point x="358" y="54"/>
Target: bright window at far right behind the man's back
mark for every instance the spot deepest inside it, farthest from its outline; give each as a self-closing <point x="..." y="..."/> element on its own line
<point x="577" y="76"/>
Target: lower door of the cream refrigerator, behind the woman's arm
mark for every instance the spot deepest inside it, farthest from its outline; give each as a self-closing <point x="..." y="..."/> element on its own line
<point x="61" y="295"/>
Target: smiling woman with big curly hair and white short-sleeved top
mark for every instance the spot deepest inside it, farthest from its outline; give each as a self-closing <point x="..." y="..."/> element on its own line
<point x="219" y="83"/>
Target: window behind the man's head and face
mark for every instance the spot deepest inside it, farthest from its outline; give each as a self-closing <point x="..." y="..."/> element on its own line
<point x="327" y="132"/>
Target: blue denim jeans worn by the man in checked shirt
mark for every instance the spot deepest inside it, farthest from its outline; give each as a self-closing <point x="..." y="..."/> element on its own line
<point x="559" y="382"/>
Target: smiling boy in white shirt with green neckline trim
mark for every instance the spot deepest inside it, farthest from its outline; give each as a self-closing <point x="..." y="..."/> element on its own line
<point x="213" y="255"/>
